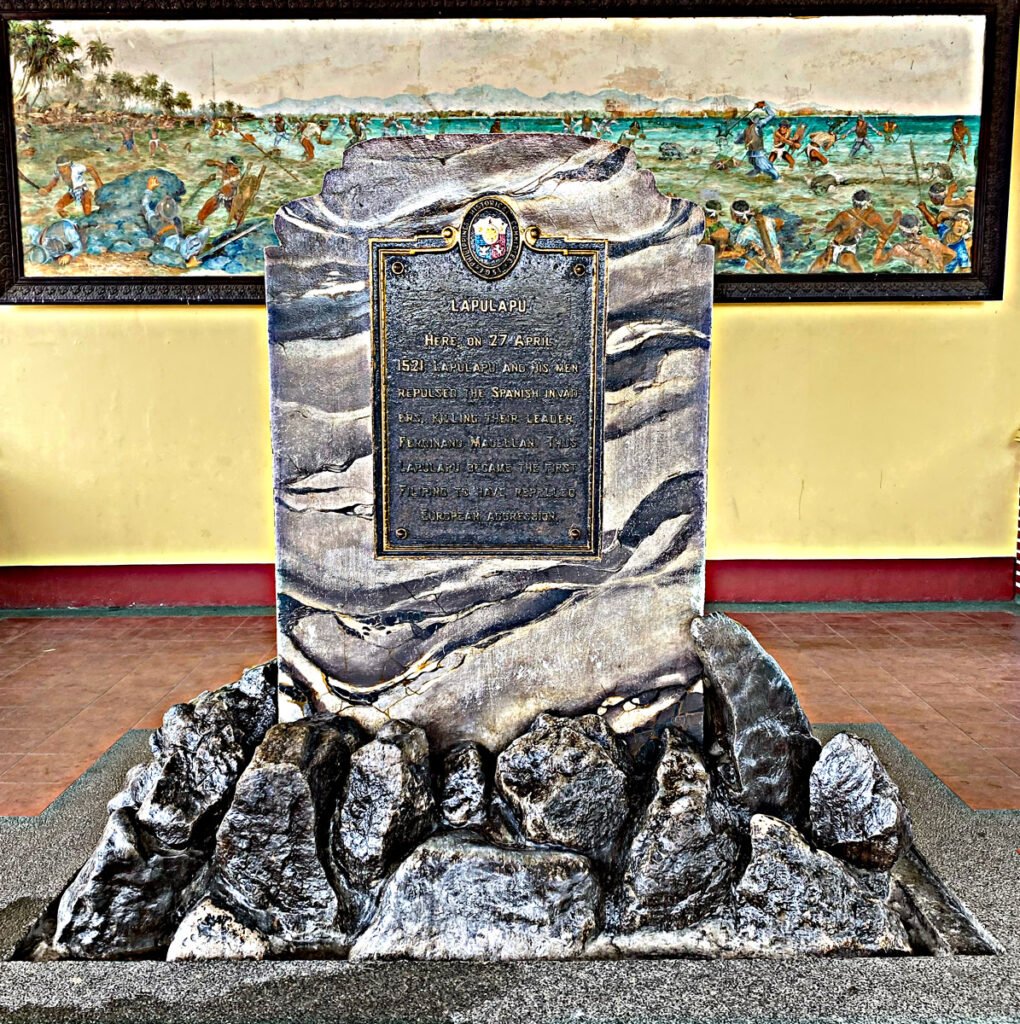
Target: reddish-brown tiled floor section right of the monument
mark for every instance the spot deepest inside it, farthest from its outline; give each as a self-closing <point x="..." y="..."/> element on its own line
<point x="946" y="685"/>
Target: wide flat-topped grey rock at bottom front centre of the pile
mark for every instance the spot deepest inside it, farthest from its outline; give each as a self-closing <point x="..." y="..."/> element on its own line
<point x="457" y="898"/>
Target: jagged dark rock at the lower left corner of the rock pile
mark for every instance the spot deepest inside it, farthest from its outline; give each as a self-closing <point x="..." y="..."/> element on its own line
<point x="129" y="898"/>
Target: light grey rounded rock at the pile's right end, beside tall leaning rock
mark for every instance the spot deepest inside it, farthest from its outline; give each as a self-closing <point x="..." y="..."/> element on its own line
<point x="857" y="813"/>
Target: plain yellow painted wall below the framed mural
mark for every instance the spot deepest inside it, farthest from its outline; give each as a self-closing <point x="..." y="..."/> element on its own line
<point x="141" y="435"/>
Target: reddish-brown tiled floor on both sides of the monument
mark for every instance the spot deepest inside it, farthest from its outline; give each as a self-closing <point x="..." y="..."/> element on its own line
<point x="947" y="685"/>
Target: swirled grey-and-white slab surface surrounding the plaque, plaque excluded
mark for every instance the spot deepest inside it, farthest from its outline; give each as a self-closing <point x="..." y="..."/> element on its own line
<point x="474" y="650"/>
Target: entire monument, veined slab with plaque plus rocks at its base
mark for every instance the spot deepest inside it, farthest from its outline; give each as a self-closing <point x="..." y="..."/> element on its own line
<point x="501" y="727"/>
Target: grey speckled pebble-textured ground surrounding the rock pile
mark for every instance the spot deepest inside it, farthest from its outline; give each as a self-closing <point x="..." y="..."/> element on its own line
<point x="975" y="854"/>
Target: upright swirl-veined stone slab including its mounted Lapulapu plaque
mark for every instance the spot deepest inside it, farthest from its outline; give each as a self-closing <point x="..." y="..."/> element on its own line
<point x="588" y="611"/>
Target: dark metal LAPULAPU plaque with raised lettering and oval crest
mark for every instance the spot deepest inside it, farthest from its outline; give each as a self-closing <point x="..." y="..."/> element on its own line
<point x="489" y="347"/>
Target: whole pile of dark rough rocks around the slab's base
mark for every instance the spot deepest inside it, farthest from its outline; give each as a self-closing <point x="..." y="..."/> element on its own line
<point x="248" y="840"/>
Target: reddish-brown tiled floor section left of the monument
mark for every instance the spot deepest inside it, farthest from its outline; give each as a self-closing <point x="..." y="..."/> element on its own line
<point x="70" y="688"/>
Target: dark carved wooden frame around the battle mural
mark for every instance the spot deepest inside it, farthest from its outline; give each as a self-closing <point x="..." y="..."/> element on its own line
<point x="994" y="152"/>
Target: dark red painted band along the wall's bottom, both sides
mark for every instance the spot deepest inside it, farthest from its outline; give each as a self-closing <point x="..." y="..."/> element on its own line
<point x="757" y="580"/>
